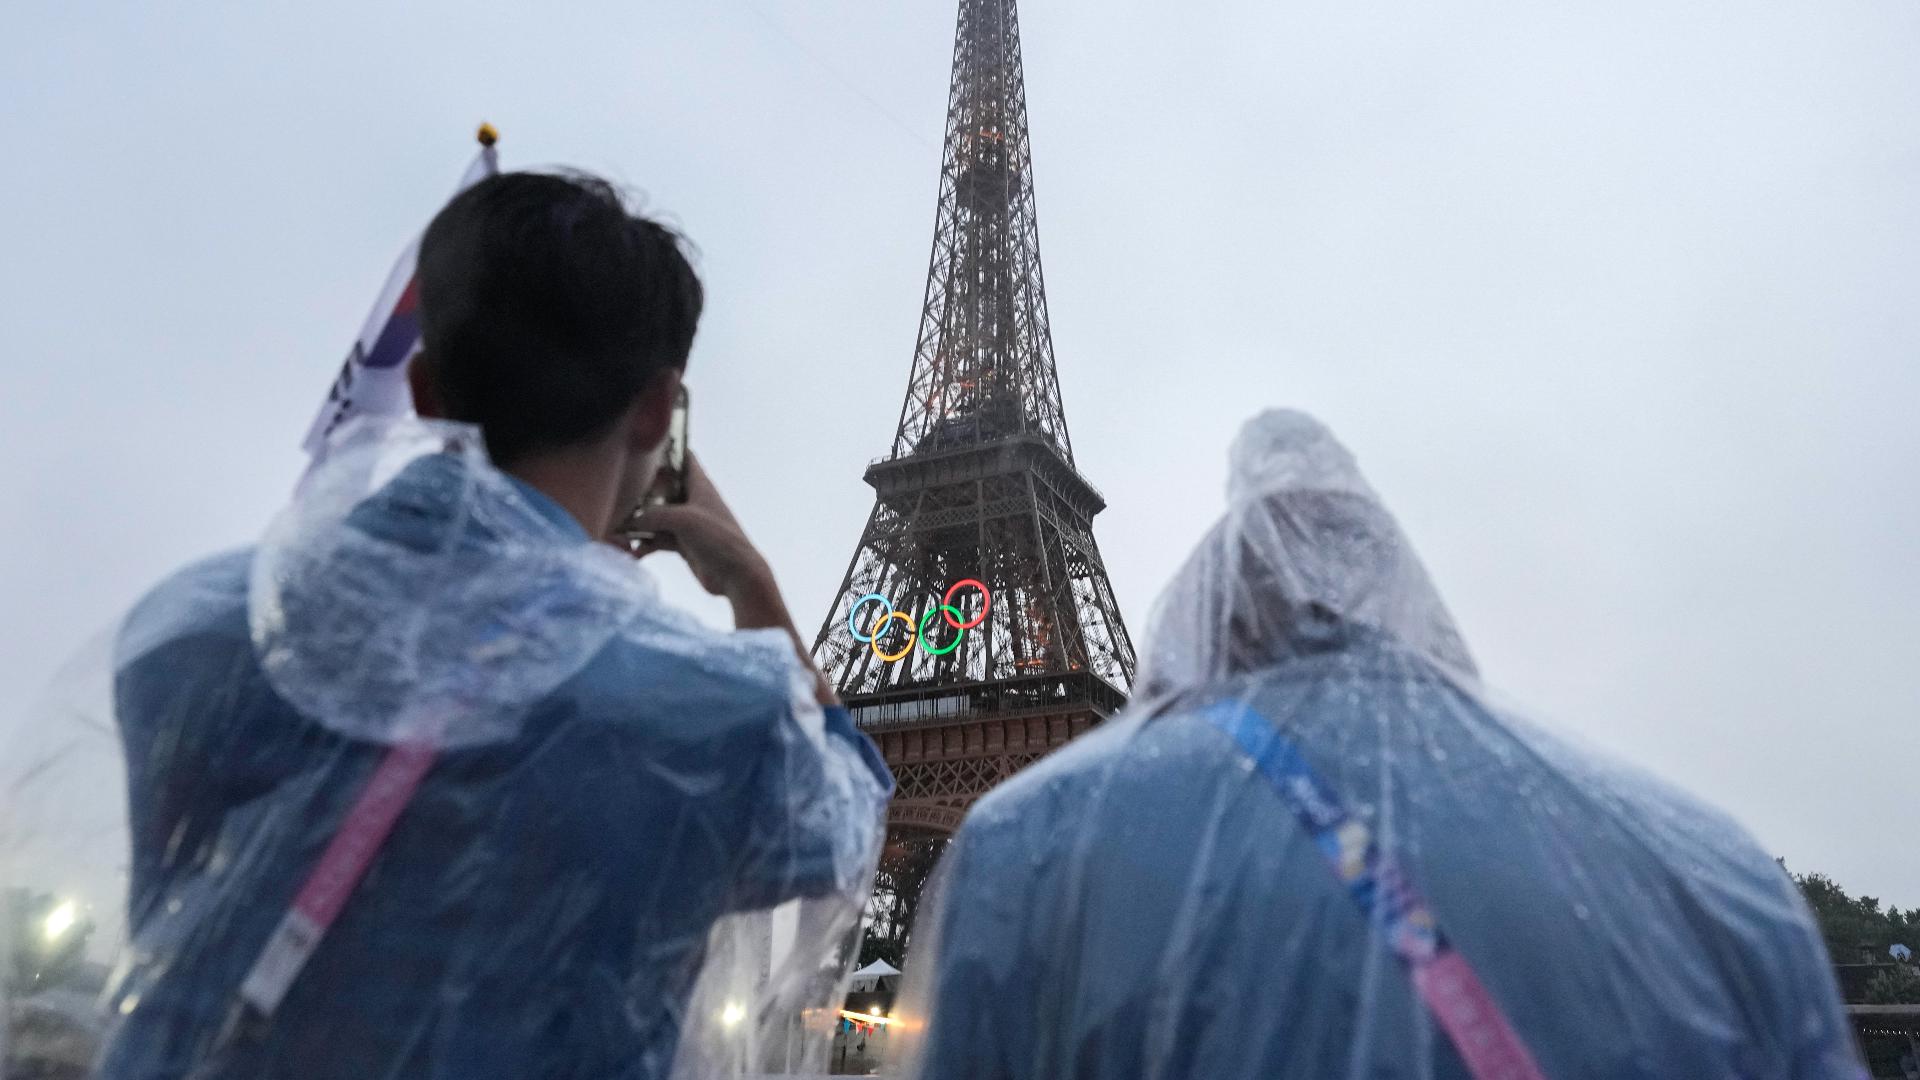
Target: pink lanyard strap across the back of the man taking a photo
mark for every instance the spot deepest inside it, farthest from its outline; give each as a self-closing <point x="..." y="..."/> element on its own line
<point x="341" y="870"/>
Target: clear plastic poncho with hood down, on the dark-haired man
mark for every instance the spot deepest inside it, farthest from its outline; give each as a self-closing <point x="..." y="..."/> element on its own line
<point x="429" y="787"/>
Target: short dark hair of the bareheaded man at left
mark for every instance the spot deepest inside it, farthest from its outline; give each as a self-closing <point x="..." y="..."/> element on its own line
<point x="546" y="307"/>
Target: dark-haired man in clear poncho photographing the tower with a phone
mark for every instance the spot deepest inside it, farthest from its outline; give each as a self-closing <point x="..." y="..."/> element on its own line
<point x="623" y="847"/>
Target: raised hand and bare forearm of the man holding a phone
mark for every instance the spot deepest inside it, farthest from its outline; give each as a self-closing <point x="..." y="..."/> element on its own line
<point x="723" y="560"/>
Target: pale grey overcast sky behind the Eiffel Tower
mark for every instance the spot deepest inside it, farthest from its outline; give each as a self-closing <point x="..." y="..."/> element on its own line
<point x="1618" y="303"/>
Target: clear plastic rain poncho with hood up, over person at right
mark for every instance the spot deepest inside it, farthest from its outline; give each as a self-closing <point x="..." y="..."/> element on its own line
<point x="1314" y="848"/>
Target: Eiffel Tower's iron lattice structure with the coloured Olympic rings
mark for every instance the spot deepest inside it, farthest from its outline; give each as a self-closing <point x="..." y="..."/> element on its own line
<point x="980" y="485"/>
